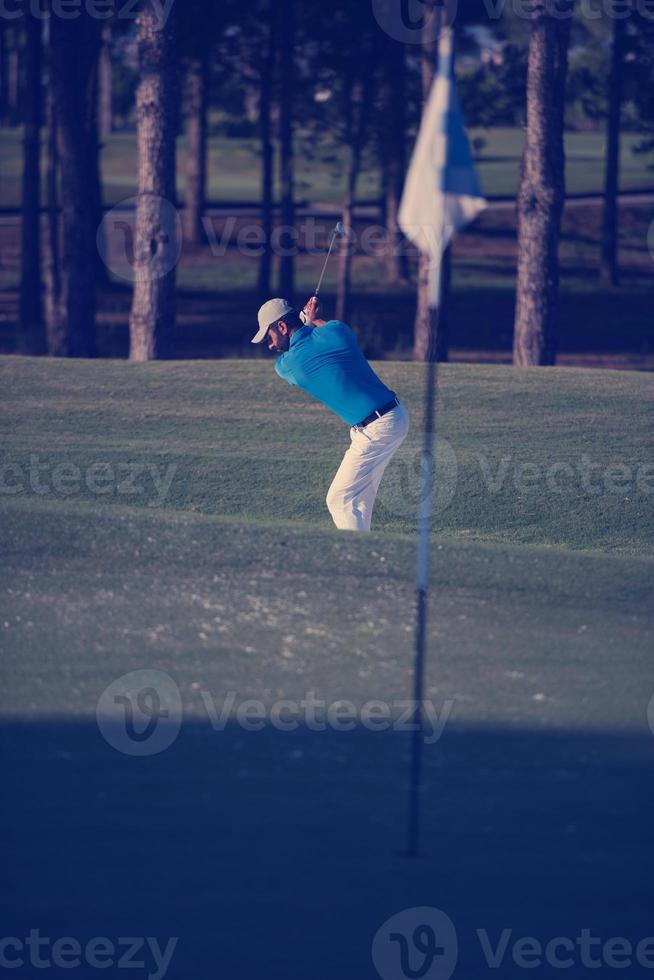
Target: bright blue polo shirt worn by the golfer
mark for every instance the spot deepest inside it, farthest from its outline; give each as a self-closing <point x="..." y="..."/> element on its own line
<point x="326" y="362"/>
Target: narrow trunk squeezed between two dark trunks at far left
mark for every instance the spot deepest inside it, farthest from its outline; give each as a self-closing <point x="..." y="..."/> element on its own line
<point x="55" y="327"/>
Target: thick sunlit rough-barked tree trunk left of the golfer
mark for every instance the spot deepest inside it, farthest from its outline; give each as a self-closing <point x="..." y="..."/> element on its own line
<point x="152" y="320"/>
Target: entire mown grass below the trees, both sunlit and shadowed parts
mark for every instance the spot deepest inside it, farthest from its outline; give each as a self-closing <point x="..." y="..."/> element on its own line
<point x="171" y="517"/>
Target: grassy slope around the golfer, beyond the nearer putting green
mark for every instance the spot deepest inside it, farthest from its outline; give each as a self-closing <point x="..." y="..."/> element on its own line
<point x="236" y="435"/>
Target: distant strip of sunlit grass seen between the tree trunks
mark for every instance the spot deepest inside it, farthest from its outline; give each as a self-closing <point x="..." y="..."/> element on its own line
<point x="234" y="167"/>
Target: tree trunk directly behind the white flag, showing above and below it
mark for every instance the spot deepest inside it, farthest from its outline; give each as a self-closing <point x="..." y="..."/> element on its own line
<point x="430" y="332"/>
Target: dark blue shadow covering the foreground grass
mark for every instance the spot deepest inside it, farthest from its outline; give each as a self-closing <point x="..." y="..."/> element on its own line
<point x="277" y="855"/>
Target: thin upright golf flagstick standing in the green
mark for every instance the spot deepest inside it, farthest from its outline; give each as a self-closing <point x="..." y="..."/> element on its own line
<point x="427" y="468"/>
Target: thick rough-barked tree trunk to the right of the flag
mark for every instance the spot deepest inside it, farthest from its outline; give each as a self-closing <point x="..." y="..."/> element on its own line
<point x="541" y="194"/>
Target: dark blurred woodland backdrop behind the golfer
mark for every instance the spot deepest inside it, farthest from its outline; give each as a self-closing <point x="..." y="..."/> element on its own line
<point x="284" y="118"/>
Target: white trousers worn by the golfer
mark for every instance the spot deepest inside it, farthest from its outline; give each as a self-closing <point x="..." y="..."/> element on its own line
<point x="351" y="496"/>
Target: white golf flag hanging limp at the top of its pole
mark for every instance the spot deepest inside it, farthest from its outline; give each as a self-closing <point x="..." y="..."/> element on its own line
<point x="441" y="193"/>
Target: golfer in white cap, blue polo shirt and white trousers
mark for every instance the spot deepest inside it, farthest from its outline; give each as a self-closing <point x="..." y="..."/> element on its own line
<point x="323" y="358"/>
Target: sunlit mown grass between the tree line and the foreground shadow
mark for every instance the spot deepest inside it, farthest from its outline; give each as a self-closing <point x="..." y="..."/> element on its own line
<point x="238" y="559"/>
